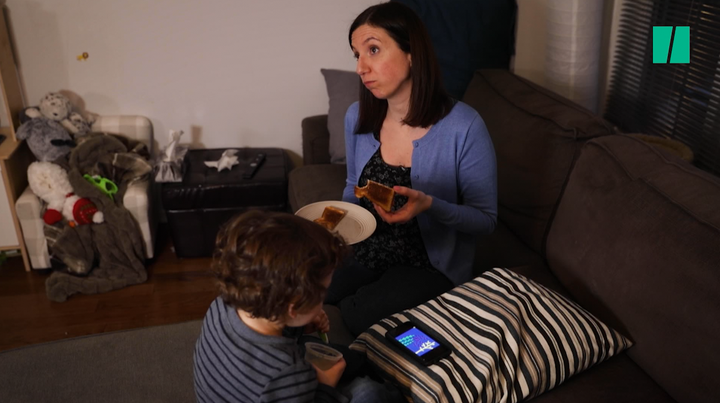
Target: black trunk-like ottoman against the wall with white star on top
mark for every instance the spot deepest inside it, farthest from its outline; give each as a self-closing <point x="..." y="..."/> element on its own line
<point x="198" y="206"/>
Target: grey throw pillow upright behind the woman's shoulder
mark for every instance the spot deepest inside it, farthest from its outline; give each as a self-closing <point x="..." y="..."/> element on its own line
<point x="343" y="89"/>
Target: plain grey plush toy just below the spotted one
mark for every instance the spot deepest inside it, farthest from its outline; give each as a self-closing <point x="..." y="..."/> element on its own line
<point x="46" y="138"/>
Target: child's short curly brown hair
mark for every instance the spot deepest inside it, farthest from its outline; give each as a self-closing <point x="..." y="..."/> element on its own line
<point x="265" y="261"/>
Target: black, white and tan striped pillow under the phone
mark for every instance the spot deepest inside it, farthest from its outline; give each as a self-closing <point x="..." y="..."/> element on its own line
<point x="512" y="339"/>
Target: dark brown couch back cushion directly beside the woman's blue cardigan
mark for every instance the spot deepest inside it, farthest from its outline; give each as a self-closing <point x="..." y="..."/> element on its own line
<point x="536" y="135"/>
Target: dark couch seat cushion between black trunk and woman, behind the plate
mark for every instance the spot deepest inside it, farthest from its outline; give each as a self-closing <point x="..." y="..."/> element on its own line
<point x="312" y="183"/>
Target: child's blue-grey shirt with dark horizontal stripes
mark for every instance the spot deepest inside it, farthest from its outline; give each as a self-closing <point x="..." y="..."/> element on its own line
<point x="233" y="363"/>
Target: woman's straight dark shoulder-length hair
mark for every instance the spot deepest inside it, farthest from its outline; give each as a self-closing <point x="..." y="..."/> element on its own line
<point x="429" y="102"/>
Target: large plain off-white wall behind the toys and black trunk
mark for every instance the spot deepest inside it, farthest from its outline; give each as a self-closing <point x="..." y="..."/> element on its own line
<point x="230" y="73"/>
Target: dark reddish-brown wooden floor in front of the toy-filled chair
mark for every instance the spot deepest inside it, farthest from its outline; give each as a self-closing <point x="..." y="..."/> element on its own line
<point x="177" y="290"/>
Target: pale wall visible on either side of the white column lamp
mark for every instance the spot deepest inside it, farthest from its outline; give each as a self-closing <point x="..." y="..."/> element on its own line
<point x="530" y="42"/>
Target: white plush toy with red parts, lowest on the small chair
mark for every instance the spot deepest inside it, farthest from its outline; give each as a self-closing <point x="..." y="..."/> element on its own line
<point x="50" y="182"/>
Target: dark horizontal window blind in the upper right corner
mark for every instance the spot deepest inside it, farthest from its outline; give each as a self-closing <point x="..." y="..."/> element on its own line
<point x="671" y="100"/>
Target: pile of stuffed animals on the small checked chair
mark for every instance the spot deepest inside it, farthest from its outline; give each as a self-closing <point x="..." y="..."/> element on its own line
<point x="52" y="130"/>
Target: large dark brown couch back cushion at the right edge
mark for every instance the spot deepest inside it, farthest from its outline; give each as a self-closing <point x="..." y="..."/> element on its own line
<point x="636" y="240"/>
